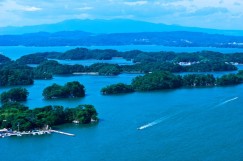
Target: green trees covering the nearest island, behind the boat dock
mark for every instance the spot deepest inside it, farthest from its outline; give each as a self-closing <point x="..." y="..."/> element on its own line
<point x="15" y="114"/>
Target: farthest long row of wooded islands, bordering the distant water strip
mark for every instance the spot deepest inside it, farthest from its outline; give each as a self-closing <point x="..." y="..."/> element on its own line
<point x="134" y="55"/>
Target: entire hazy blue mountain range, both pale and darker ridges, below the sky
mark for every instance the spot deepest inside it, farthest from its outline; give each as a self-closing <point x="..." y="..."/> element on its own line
<point x="117" y="32"/>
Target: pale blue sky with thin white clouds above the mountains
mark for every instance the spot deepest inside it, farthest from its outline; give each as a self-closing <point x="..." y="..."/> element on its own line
<point x="218" y="14"/>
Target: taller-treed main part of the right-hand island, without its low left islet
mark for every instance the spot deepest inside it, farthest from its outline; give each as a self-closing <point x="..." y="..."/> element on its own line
<point x="166" y="80"/>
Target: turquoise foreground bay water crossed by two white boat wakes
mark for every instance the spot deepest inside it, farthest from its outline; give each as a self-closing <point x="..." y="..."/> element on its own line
<point x="188" y="124"/>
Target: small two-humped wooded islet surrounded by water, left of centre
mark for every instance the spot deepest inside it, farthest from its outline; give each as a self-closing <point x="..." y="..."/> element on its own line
<point x="70" y="89"/>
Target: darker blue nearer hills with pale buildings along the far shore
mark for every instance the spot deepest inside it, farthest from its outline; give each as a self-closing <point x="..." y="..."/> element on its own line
<point x="79" y="38"/>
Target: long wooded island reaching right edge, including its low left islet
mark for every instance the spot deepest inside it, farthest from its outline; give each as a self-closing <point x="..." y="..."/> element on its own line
<point x="167" y="80"/>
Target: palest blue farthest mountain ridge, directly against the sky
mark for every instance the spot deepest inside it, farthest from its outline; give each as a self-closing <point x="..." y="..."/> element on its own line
<point x="111" y="26"/>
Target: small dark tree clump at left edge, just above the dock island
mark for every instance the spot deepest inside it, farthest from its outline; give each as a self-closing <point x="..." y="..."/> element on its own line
<point x="14" y="95"/>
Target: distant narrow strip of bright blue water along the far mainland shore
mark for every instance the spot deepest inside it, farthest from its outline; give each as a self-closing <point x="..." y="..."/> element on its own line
<point x="15" y="52"/>
